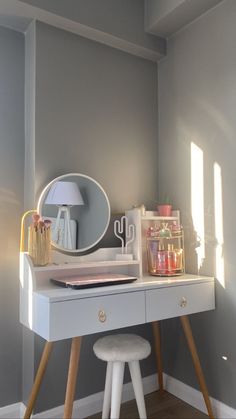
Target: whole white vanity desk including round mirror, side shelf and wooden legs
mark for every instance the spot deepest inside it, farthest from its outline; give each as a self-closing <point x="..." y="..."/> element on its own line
<point x="56" y="313"/>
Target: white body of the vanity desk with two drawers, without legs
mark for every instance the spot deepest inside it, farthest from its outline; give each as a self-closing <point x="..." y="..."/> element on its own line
<point x="59" y="313"/>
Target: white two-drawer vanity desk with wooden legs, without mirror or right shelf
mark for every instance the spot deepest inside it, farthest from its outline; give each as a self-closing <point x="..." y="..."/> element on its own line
<point x="57" y="313"/>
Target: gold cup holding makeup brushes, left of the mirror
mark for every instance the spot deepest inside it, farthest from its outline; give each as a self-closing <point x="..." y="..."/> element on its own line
<point x="39" y="245"/>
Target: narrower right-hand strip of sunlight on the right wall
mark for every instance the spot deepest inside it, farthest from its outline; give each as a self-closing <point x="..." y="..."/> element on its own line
<point x="219" y="235"/>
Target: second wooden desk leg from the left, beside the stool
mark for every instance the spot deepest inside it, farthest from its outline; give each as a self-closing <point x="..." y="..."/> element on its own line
<point x="72" y="376"/>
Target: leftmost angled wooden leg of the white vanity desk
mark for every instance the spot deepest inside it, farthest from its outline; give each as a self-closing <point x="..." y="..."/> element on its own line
<point x="38" y="379"/>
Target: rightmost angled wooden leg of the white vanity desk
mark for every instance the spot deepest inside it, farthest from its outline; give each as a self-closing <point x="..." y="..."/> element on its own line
<point x="196" y="362"/>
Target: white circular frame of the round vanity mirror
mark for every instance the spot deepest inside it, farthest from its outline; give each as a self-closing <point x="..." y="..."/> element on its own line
<point x="40" y="205"/>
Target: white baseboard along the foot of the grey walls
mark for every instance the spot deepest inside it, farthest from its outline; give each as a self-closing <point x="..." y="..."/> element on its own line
<point x="93" y="404"/>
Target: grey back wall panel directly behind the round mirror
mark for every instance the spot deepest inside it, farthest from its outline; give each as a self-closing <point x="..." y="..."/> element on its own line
<point x="96" y="113"/>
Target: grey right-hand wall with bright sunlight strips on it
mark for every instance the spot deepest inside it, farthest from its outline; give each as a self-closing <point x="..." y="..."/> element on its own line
<point x="197" y="102"/>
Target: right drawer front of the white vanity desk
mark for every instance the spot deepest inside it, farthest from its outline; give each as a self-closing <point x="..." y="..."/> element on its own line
<point x="175" y="301"/>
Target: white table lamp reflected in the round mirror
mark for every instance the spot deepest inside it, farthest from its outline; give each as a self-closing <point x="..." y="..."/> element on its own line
<point x="64" y="195"/>
